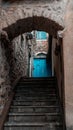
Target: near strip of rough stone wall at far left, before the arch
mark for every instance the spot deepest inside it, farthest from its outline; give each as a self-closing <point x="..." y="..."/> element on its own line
<point x="4" y="77"/>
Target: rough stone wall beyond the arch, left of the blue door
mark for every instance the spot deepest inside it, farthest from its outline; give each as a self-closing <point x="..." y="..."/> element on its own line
<point x="20" y="58"/>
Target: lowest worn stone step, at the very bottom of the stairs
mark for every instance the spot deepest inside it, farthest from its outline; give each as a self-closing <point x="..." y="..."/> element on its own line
<point x="33" y="126"/>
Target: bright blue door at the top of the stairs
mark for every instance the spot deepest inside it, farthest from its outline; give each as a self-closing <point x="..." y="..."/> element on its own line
<point x="40" y="68"/>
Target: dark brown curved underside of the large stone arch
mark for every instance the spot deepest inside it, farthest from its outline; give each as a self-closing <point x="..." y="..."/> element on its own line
<point x="32" y="23"/>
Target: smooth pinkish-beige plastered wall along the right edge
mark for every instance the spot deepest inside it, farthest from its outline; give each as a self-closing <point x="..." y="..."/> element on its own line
<point x="68" y="64"/>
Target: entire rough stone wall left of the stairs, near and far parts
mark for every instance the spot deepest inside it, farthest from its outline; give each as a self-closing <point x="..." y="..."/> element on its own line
<point x="13" y="65"/>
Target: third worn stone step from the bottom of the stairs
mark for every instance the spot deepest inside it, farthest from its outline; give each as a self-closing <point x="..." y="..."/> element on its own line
<point x="36" y="109"/>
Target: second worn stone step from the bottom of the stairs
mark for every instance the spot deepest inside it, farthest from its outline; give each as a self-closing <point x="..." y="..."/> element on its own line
<point x="34" y="118"/>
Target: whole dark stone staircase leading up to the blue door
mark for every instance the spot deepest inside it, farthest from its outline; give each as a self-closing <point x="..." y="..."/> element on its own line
<point x="36" y="106"/>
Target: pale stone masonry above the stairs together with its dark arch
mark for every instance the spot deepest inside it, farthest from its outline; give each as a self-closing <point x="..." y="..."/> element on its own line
<point x="46" y="16"/>
